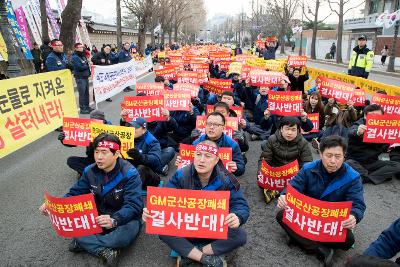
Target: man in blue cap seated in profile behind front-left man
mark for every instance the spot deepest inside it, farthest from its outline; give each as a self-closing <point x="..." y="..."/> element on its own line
<point x="146" y="154"/>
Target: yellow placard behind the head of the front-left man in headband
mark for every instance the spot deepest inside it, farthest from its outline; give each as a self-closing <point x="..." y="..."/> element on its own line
<point x="126" y="135"/>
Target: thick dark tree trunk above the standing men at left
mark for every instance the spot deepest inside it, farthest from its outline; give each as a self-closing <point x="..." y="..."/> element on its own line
<point x="70" y="18"/>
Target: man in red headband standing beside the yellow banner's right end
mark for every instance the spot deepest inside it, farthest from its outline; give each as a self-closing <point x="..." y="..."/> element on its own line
<point x="81" y="74"/>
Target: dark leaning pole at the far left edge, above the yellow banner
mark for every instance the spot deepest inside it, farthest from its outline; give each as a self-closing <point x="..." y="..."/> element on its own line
<point x="13" y="69"/>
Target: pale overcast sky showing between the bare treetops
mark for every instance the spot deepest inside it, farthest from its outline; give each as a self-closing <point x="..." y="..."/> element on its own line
<point x="106" y="8"/>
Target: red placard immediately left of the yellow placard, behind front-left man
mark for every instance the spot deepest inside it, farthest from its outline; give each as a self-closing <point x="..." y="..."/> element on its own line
<point x="77" y="131"/>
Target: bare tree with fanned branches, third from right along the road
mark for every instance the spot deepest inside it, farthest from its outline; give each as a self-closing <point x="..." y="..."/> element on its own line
<point x="283" y="12"/>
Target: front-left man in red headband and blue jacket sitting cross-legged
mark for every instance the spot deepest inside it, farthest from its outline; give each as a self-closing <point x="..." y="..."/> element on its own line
<point x="116" y="187"/>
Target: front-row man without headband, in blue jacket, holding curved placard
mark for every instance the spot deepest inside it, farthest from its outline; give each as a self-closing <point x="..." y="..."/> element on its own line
<point x="328" y="179"/>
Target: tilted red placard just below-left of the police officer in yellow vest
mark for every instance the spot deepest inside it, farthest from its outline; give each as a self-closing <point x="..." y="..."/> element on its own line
<point x="331" y="88"/>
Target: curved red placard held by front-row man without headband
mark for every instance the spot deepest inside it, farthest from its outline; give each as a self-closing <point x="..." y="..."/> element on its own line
<point x="314" y="219"/>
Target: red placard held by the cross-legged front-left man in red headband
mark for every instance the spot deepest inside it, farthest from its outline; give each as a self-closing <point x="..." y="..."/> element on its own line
<point x="73" y="216"/>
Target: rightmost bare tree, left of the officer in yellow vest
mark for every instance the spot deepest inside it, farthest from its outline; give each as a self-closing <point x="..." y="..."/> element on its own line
<point x="340" y="4"/>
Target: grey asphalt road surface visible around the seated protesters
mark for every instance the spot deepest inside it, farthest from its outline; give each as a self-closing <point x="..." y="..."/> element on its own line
<point x="27" y="238"/>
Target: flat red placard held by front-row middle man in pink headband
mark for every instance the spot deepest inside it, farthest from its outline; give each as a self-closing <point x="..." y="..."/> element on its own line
<point x="187" y="213"/>
